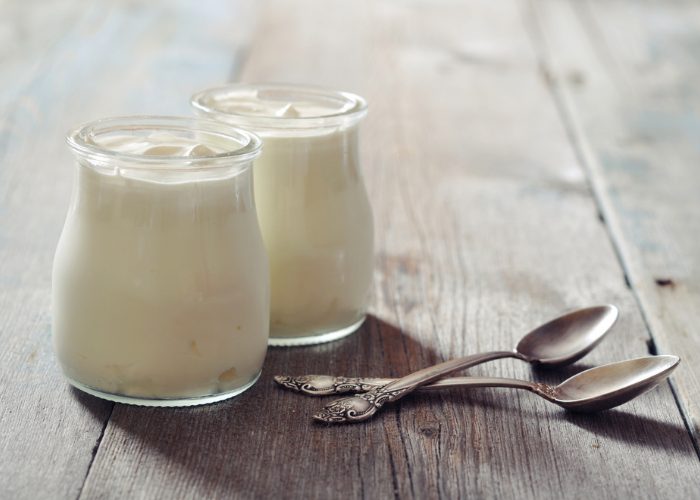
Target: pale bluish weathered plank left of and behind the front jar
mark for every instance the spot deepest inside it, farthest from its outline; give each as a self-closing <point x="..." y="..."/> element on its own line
<point x="62" y="63"/>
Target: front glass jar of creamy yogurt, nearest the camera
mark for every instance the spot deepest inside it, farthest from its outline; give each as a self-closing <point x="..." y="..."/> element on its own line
<point x="160" y="280"/>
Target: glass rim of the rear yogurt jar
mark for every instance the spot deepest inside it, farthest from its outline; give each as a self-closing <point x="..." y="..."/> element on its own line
<point x="349" y="109"/>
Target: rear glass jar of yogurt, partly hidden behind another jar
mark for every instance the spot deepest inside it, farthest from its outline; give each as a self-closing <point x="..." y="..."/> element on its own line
<point x="313" y="207"/>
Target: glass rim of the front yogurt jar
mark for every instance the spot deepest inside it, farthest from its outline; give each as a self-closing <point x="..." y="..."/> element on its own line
<point x="79" y="140"/>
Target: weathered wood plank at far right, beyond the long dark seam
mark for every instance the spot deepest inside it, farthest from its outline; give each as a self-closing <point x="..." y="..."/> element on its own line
<point x="626" y="73"/>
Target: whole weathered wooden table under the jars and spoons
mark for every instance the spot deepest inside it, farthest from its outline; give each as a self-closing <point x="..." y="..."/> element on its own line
<point x="523" y="157"/>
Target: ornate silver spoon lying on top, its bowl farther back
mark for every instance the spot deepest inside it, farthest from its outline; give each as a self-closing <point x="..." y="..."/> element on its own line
<point x="560" y="341"/>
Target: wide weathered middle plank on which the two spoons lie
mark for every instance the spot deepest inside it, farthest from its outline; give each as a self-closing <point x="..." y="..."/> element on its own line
<point x="485" y="227"/>
